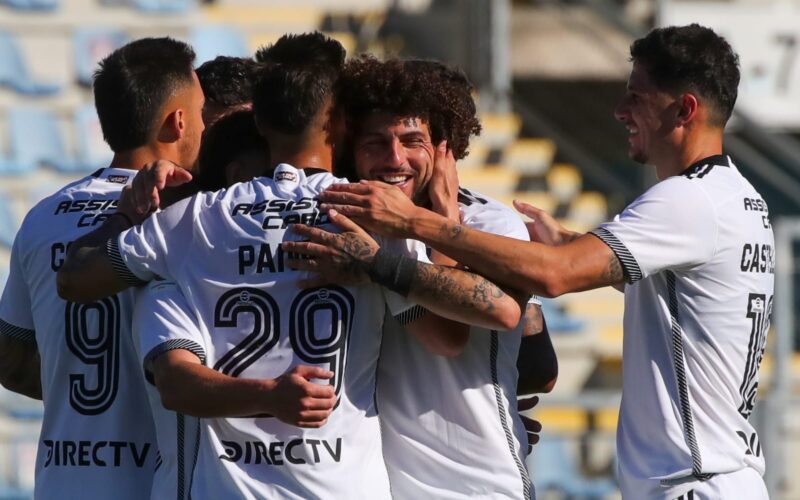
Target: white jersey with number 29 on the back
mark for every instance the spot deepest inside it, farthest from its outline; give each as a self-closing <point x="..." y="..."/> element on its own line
<point x="224" y="251"/>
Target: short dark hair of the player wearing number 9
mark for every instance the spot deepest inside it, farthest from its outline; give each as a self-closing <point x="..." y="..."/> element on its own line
<point x="133" y="83"/>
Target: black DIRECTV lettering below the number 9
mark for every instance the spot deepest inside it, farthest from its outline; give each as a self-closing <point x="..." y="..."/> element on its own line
<point x="95" y="453"/>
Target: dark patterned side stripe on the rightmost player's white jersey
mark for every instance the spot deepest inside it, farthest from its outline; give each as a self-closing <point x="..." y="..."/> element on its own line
<point x="680" y="373"/>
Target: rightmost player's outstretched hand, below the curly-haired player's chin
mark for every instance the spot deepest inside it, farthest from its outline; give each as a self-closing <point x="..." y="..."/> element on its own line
<point x="376" y="206"/>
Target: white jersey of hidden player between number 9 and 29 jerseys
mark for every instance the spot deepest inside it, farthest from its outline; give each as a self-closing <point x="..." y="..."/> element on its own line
<point x="162" y="321"/>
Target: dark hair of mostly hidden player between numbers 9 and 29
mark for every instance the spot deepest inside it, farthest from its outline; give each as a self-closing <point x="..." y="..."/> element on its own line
<point x="227" y="81"/>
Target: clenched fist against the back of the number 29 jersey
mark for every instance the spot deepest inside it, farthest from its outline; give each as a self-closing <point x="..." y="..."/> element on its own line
<point x="298" y="401"/>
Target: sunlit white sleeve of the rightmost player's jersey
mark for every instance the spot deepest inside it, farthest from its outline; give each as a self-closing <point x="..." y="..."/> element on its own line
<point x="672" y="226"/>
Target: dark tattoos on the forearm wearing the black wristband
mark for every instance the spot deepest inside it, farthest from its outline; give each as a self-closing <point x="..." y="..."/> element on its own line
<point x="439" y="283"/>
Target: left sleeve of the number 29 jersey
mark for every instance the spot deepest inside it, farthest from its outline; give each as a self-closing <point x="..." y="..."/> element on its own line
<point x="143" y="252"/>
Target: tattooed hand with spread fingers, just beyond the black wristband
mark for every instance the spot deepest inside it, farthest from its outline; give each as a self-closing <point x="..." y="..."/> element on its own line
<point x="349" y="251"/>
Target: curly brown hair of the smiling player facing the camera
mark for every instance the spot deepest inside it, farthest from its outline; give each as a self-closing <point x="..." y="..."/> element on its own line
<point x="431" y="90"/>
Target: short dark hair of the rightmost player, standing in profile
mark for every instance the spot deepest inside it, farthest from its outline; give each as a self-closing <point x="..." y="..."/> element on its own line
<point x="694" y="59"/>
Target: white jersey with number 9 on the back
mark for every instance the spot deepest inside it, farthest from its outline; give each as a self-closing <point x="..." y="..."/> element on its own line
<point x="97" y="438"/>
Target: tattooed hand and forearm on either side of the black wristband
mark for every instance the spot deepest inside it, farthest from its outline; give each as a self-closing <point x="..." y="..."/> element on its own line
<point x="446" y="291"/>
